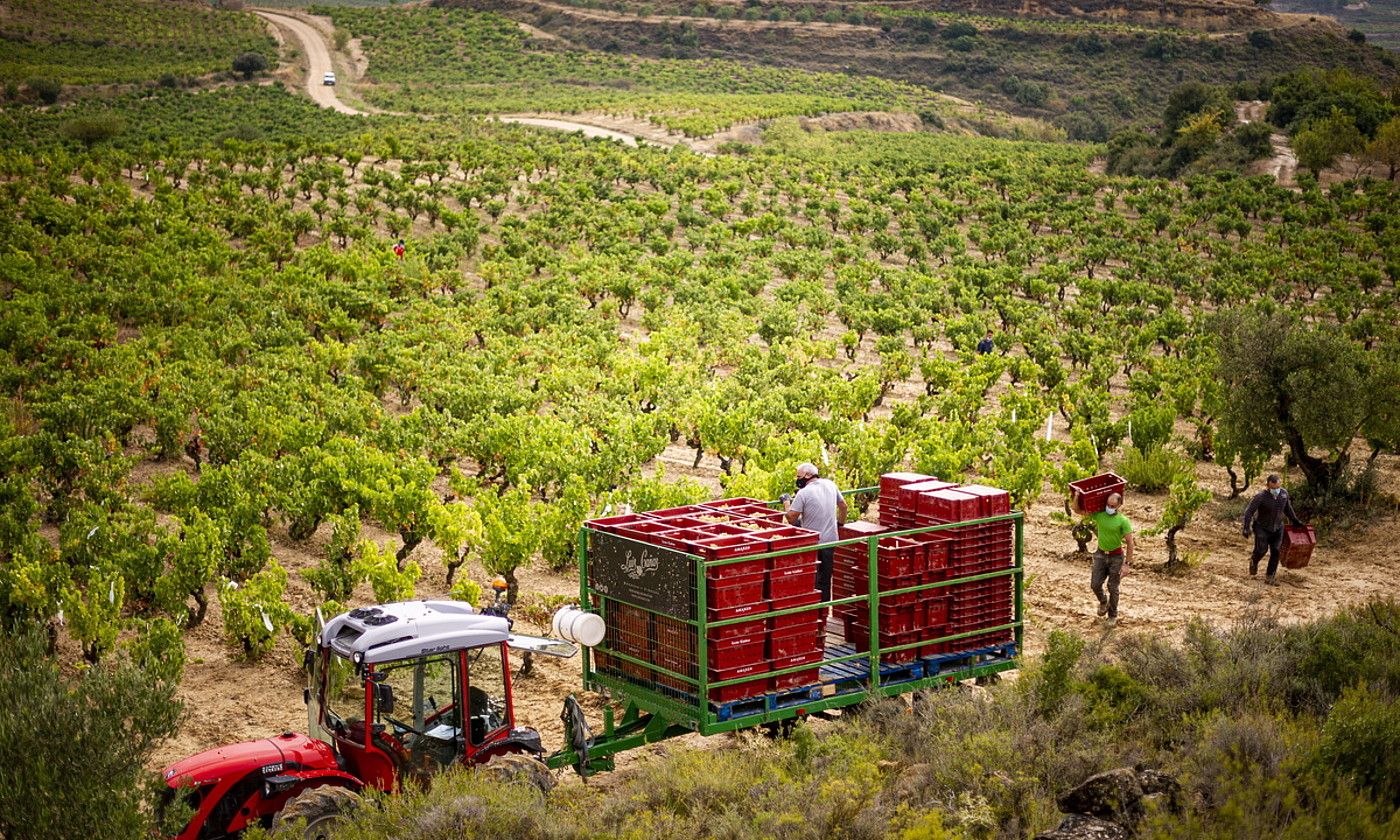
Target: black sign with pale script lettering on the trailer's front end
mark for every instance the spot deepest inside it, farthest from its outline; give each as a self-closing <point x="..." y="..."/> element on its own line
<point x="650" y="577"/>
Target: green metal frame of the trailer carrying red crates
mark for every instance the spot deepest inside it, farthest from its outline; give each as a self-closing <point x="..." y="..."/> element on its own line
<point x="661" y="702"/>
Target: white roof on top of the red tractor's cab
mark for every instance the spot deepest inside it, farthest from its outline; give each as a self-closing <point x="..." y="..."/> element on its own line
<point x="391" y="632"/>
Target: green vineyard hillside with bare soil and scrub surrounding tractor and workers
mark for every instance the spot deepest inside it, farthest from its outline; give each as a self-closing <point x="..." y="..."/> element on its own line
<point x="229" y="404"/>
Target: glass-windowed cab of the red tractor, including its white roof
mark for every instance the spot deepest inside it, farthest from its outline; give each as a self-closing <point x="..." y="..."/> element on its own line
<point x="404" y="691"/>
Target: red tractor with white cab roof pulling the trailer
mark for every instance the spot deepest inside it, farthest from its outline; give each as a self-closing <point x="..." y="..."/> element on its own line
<point x="397" y="692"/>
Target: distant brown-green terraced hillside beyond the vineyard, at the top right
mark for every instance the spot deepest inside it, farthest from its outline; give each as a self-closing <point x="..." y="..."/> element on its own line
<point x="1087" y="73"/>
